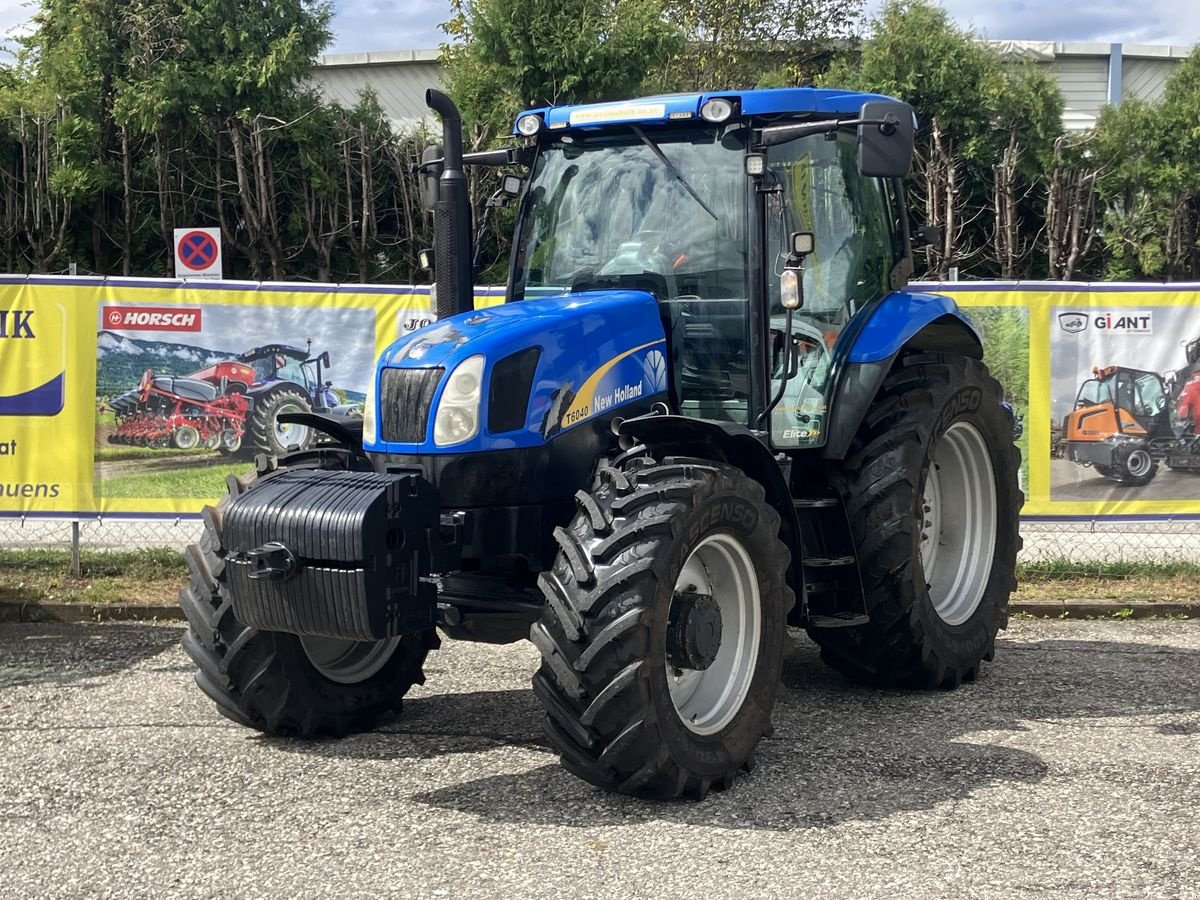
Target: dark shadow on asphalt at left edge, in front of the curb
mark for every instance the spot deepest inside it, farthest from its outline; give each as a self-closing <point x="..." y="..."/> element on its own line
<point x="33" y="653"/>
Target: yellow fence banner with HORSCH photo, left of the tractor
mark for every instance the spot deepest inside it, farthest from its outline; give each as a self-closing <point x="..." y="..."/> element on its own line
<point x="140" y="398"/>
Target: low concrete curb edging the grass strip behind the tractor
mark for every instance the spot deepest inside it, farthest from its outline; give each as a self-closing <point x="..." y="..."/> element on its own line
<point x="13" y="611"/>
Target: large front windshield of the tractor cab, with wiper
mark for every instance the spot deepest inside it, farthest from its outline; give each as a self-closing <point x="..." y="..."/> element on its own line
<point x="669" y="206"/>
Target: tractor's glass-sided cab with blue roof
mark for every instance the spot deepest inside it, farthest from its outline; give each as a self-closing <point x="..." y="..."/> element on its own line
<point x="761" y="223"/>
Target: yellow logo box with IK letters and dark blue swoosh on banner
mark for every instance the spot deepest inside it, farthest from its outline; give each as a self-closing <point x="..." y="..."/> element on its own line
<point x="33" y="361"/>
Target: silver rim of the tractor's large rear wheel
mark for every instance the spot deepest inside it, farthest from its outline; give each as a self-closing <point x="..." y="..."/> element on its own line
<point x="958" y="539"/>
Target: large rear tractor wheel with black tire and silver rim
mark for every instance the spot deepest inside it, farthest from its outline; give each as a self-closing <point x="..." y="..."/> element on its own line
<point x="934" y="457"/>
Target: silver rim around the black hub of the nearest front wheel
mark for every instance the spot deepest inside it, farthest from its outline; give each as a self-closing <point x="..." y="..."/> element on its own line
<point x="707" y="700"/>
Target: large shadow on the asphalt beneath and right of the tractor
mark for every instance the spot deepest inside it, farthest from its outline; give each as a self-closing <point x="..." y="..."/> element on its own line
<point x="841" y="753"/>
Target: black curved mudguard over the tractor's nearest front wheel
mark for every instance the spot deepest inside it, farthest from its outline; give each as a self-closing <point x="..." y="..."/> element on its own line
<point x="729" y="443"/>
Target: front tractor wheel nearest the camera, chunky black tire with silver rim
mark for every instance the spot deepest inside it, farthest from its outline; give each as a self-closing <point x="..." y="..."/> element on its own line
<point x="646" y="689"/>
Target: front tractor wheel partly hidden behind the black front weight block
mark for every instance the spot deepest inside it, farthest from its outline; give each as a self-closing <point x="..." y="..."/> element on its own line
<point x="280" y="683"/>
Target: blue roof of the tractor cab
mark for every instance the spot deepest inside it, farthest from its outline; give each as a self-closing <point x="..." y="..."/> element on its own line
<point x="685" y="107"/>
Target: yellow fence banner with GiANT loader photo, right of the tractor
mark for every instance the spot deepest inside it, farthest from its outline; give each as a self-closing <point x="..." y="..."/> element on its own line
<point x="1105" y="380"/>
